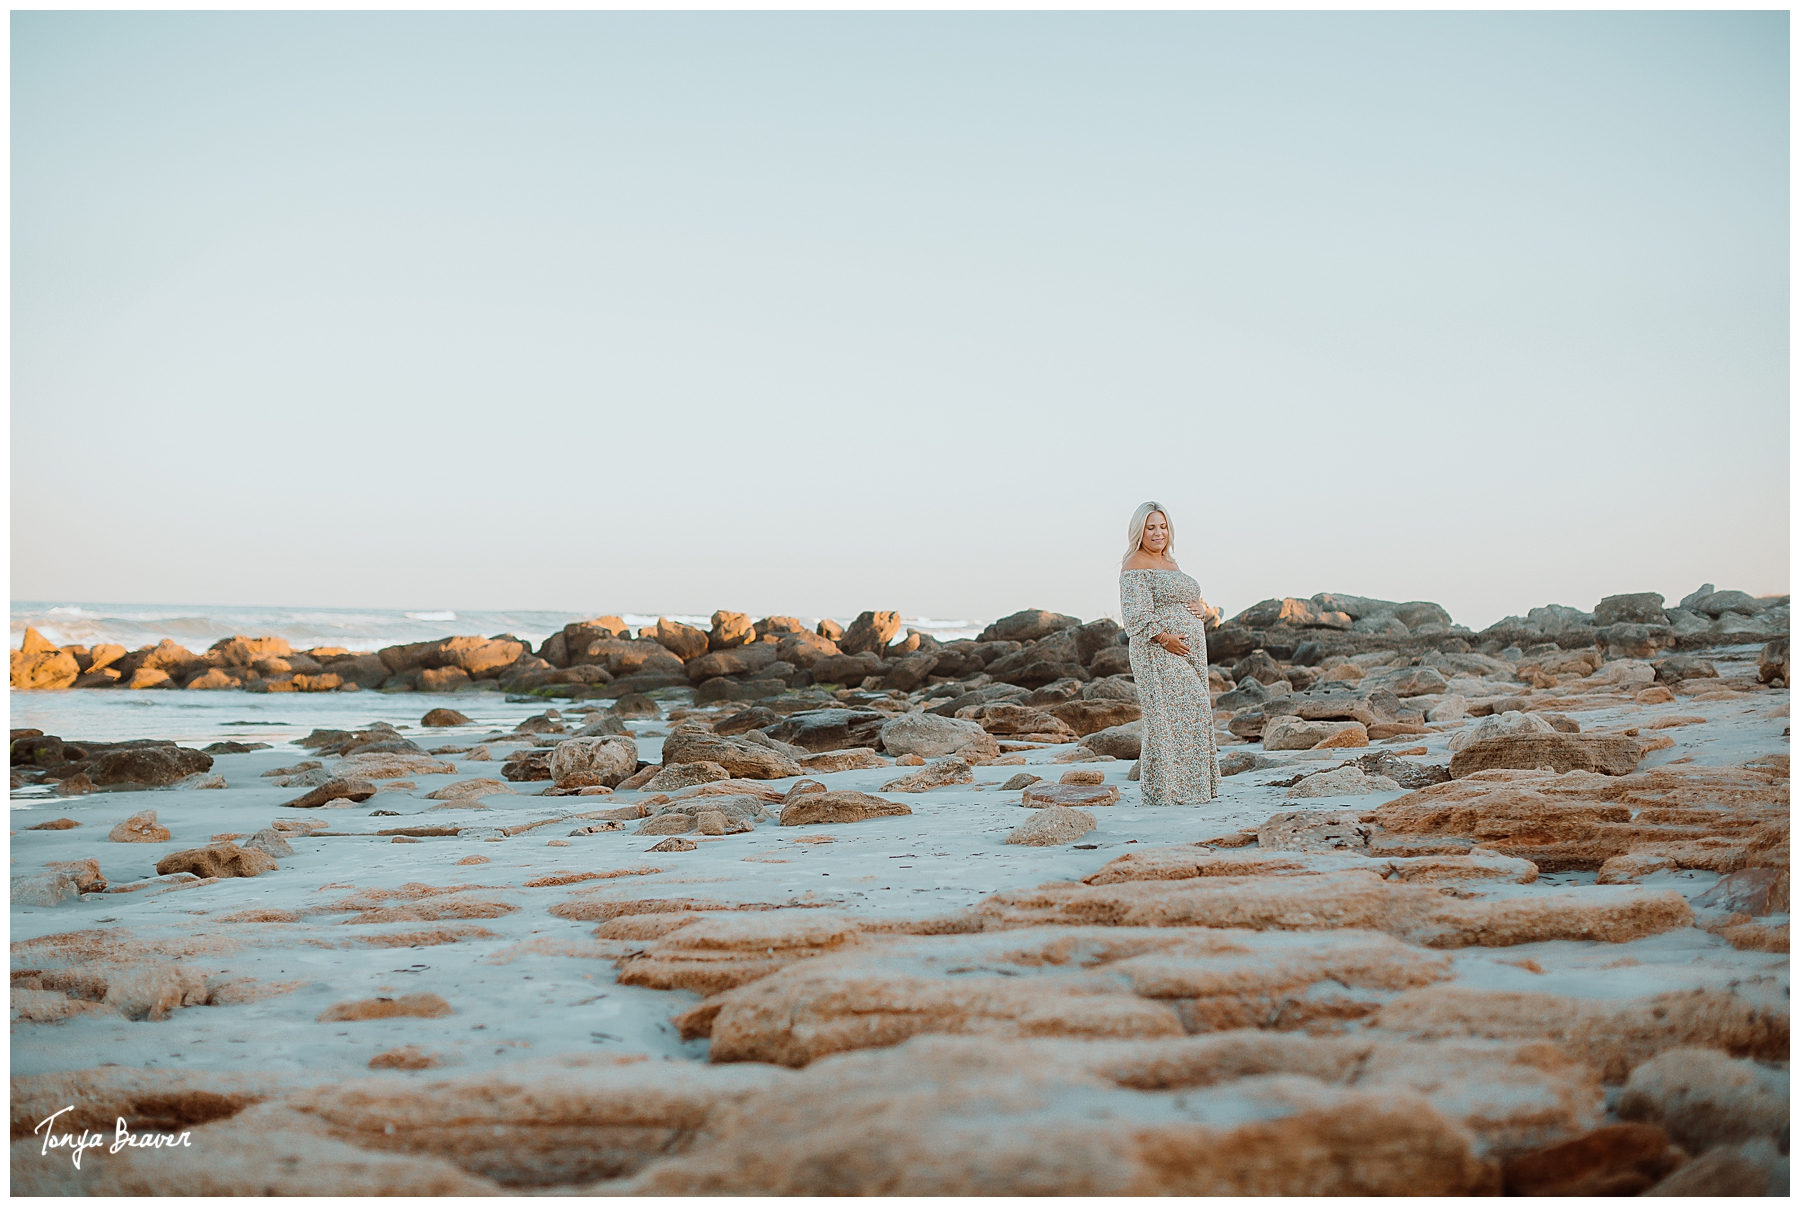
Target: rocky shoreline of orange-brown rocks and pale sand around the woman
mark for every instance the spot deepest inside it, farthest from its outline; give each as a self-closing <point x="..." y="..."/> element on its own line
<point x="778" y="911"/>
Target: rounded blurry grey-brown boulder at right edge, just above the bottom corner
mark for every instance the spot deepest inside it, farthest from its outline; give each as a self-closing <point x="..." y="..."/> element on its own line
<point x="1704" y="1098"/>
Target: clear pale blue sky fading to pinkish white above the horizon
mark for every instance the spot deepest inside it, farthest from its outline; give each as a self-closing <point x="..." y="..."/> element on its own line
<point x="823" y="312"/>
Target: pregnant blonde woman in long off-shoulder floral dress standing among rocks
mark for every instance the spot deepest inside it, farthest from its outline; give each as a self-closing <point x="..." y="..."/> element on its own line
<point x="1165" y="620"/>
